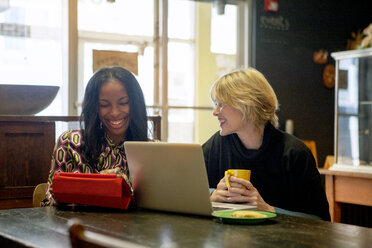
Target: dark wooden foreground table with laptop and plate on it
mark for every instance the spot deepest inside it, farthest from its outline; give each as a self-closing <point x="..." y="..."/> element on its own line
<point x="46" y="227"/>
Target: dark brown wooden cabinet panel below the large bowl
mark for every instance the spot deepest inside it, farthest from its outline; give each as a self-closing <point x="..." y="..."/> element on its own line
<point x="25" y="153"/>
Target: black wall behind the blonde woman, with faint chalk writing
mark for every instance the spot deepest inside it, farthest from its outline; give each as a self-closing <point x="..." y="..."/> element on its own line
<point x="283" y="45"/>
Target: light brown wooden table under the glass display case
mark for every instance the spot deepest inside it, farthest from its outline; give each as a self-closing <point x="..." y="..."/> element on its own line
<point x="346" y="187"/>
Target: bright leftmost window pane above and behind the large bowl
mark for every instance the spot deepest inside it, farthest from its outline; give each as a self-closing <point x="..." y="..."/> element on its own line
<point x="31" y="45"/>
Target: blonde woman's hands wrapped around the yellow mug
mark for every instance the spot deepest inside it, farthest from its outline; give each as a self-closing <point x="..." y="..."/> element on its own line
<point x="238" y="194"/>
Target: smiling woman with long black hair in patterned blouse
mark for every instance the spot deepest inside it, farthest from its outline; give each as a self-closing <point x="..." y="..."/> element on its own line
<point x="113" y="112"/>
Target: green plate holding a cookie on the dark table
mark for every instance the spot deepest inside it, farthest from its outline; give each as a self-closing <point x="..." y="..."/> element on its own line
<point x="225" y="217"/>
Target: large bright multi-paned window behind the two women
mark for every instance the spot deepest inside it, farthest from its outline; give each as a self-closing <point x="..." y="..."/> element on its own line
<point x="201" y="46"/>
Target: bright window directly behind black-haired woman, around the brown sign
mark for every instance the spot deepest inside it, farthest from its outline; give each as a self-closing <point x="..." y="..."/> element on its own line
<point x="128" y="28"/>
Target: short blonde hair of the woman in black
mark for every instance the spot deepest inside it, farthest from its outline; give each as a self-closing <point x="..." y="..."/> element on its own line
<point x="248" y="91"/>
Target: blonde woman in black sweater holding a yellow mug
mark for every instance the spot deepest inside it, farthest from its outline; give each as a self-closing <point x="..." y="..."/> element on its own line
<point x="284" y="177"/>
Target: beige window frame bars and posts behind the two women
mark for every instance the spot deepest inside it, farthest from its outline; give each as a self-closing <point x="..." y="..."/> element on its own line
<point x="76" y="39"/>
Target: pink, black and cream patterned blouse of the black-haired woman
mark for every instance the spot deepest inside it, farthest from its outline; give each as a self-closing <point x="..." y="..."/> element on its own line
<point x="68" y="157"/>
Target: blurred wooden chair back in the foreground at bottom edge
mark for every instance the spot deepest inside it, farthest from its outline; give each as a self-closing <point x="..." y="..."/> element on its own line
<point x="81" y="238"/>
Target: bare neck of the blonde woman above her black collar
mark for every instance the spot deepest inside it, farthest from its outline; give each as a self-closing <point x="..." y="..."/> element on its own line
<point x="251" y="137"/>
